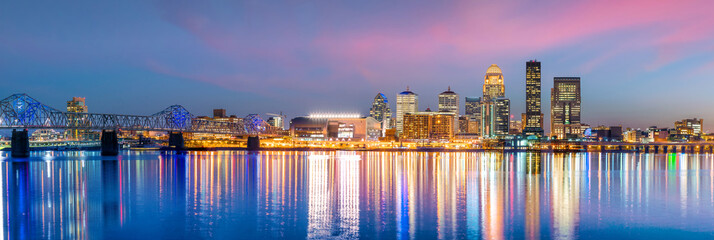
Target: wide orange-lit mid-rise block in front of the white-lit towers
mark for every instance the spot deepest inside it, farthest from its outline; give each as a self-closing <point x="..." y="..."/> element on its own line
<point x="429" y="125"/>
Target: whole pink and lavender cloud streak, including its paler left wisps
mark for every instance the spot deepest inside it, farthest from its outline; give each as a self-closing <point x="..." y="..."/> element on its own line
<point x="386" y="46"/>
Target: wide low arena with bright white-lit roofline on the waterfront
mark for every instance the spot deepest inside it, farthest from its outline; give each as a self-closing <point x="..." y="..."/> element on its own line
<point x="328" y="127"/>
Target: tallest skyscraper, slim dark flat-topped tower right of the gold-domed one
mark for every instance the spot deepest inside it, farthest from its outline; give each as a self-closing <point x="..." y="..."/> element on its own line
<point x="533" y="121"/>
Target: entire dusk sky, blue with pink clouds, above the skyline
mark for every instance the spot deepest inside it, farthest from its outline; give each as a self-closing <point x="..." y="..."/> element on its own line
<point x="642" y="63"/>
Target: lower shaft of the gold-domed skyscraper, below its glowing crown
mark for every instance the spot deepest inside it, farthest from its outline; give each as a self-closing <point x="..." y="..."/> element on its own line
<point x="495" y="117"/>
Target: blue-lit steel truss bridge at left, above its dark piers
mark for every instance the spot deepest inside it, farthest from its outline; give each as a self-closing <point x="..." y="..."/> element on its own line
<point x="23" y="111"/>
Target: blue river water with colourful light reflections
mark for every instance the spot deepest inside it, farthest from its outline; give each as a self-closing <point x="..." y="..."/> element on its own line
<point x="371" y="195"/>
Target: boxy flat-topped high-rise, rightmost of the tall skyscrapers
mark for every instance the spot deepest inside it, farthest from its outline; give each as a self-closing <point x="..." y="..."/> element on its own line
<point x="565" y="107"/>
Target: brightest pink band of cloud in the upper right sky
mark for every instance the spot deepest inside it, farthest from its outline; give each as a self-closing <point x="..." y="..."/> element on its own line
<point x="495" y="29"/>
